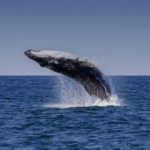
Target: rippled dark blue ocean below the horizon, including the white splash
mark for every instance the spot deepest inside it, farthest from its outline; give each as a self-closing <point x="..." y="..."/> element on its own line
<point x="55" y="113"/>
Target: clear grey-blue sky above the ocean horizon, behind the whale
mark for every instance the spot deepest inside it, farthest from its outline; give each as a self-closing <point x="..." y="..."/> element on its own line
<point x="114" y="33"/>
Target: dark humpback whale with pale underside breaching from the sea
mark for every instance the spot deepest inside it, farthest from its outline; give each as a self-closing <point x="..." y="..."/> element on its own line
<point x="85" y="72"/>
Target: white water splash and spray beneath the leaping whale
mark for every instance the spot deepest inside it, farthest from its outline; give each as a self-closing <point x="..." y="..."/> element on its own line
<point x="71" y="94"/>
